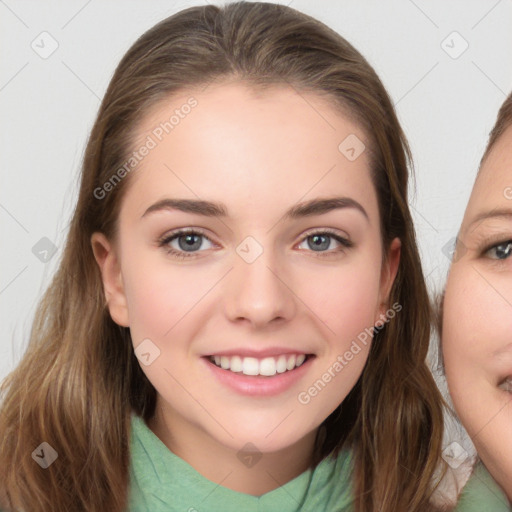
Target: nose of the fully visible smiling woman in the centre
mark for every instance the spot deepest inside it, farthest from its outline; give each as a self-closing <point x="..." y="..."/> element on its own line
<point x="259" y="293"/>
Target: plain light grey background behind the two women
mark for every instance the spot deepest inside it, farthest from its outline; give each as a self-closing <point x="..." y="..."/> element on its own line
<point x="446" y="105"/>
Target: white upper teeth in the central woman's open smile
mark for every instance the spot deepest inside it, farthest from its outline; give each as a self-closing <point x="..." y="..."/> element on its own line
<point x="267" y="366"/>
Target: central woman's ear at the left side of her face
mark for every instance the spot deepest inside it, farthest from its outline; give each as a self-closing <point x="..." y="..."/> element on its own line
<point x="108" y="261"/>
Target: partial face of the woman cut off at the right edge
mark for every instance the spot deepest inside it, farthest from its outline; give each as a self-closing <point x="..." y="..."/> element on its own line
<point x="477" y="318"/>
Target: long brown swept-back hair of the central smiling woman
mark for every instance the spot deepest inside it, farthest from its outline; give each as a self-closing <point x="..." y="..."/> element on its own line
<point x="79" y="380"/>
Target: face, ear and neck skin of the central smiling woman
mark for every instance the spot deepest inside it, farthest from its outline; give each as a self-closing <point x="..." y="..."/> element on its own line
<point x="259" y="153"/>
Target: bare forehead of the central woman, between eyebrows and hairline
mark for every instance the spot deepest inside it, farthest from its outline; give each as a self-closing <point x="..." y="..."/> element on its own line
<point x="251" y="145"/>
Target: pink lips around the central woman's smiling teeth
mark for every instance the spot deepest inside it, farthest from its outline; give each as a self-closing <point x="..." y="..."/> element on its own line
<point x="258" y="385"/>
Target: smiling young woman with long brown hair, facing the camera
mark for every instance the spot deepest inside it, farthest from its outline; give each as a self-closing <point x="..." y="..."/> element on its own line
<point x="239" y="320"/>
